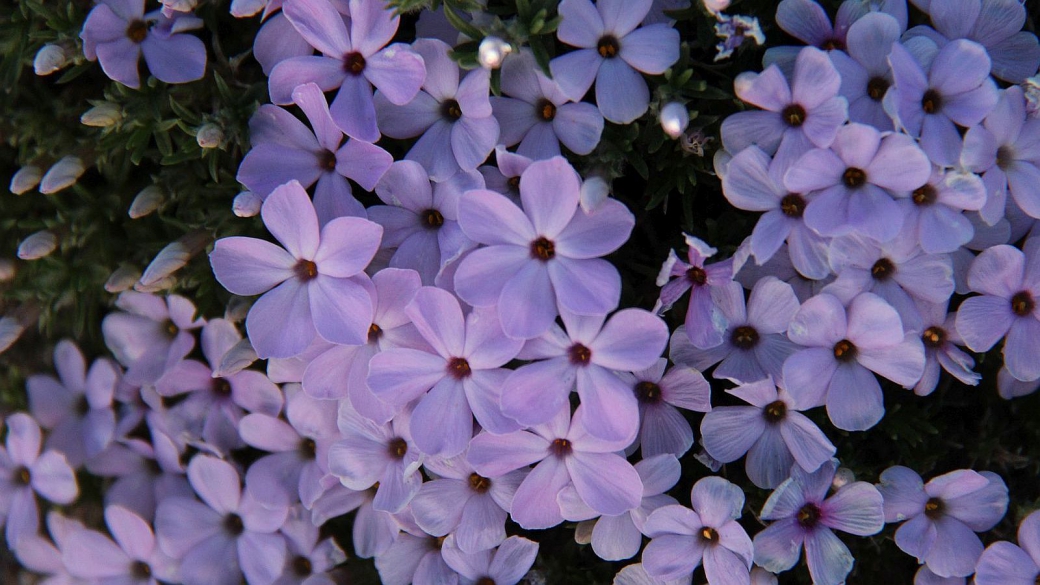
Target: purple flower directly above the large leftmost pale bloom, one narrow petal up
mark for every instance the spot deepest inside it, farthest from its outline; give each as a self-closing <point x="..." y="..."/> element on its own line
<point x="284" y="150"/>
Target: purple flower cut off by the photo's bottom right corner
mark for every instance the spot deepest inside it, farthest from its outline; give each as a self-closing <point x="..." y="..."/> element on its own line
<point x="1003" y="564"/>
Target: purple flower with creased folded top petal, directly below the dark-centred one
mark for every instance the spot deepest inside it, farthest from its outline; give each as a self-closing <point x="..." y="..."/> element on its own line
<point x="772" y="431"/>
